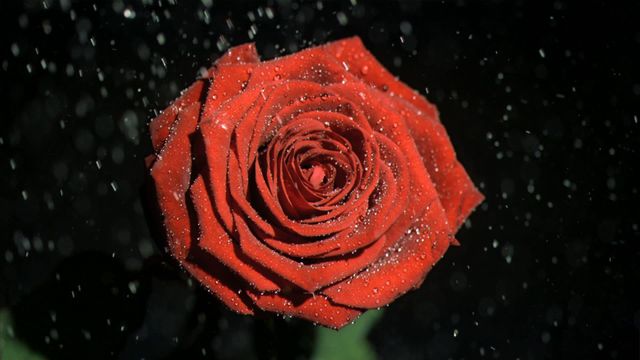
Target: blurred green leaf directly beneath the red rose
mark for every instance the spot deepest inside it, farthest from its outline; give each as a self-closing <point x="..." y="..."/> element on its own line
<point x="349" y="342"/>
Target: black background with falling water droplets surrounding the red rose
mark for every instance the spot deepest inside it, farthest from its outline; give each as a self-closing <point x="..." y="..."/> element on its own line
<point x="541" y="100"/>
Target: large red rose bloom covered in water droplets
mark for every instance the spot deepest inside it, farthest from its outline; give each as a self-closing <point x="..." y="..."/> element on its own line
<point x="314" y="185"/>
